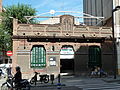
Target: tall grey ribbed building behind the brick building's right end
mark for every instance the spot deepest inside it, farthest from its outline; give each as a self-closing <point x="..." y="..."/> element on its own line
<point x="99" y="8"/>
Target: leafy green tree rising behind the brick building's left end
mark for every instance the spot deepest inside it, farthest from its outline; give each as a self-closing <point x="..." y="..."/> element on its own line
<point x="15" y="11"/>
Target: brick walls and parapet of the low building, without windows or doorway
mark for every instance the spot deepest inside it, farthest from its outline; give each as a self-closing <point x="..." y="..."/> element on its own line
<point x="58" y="35"/>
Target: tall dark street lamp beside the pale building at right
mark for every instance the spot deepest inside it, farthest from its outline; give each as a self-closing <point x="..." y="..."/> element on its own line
<point x="114" y="42"/>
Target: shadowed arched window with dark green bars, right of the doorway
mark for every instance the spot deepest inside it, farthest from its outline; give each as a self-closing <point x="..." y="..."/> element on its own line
<point x="94" y="56"/>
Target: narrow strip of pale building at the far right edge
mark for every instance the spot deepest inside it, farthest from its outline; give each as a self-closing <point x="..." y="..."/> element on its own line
<point x="117" y="31"/>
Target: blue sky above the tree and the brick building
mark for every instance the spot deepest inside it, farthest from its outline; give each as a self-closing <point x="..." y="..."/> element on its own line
<point x="43" y="6"/>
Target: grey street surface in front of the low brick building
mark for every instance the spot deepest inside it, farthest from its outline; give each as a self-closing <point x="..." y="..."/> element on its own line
<point x="78" y="83"/>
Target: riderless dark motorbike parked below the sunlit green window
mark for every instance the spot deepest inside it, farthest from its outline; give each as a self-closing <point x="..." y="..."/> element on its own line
<point x="42" y="78"/>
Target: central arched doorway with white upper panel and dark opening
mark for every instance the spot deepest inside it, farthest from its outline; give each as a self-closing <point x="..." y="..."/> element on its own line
<point x="67" y="59"/>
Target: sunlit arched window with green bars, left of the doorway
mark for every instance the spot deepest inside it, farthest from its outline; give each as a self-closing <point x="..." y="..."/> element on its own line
<point x="38" y="56"/>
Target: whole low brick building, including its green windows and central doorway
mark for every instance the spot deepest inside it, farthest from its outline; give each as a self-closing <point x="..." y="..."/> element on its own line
<point x="42" y="47"/>
